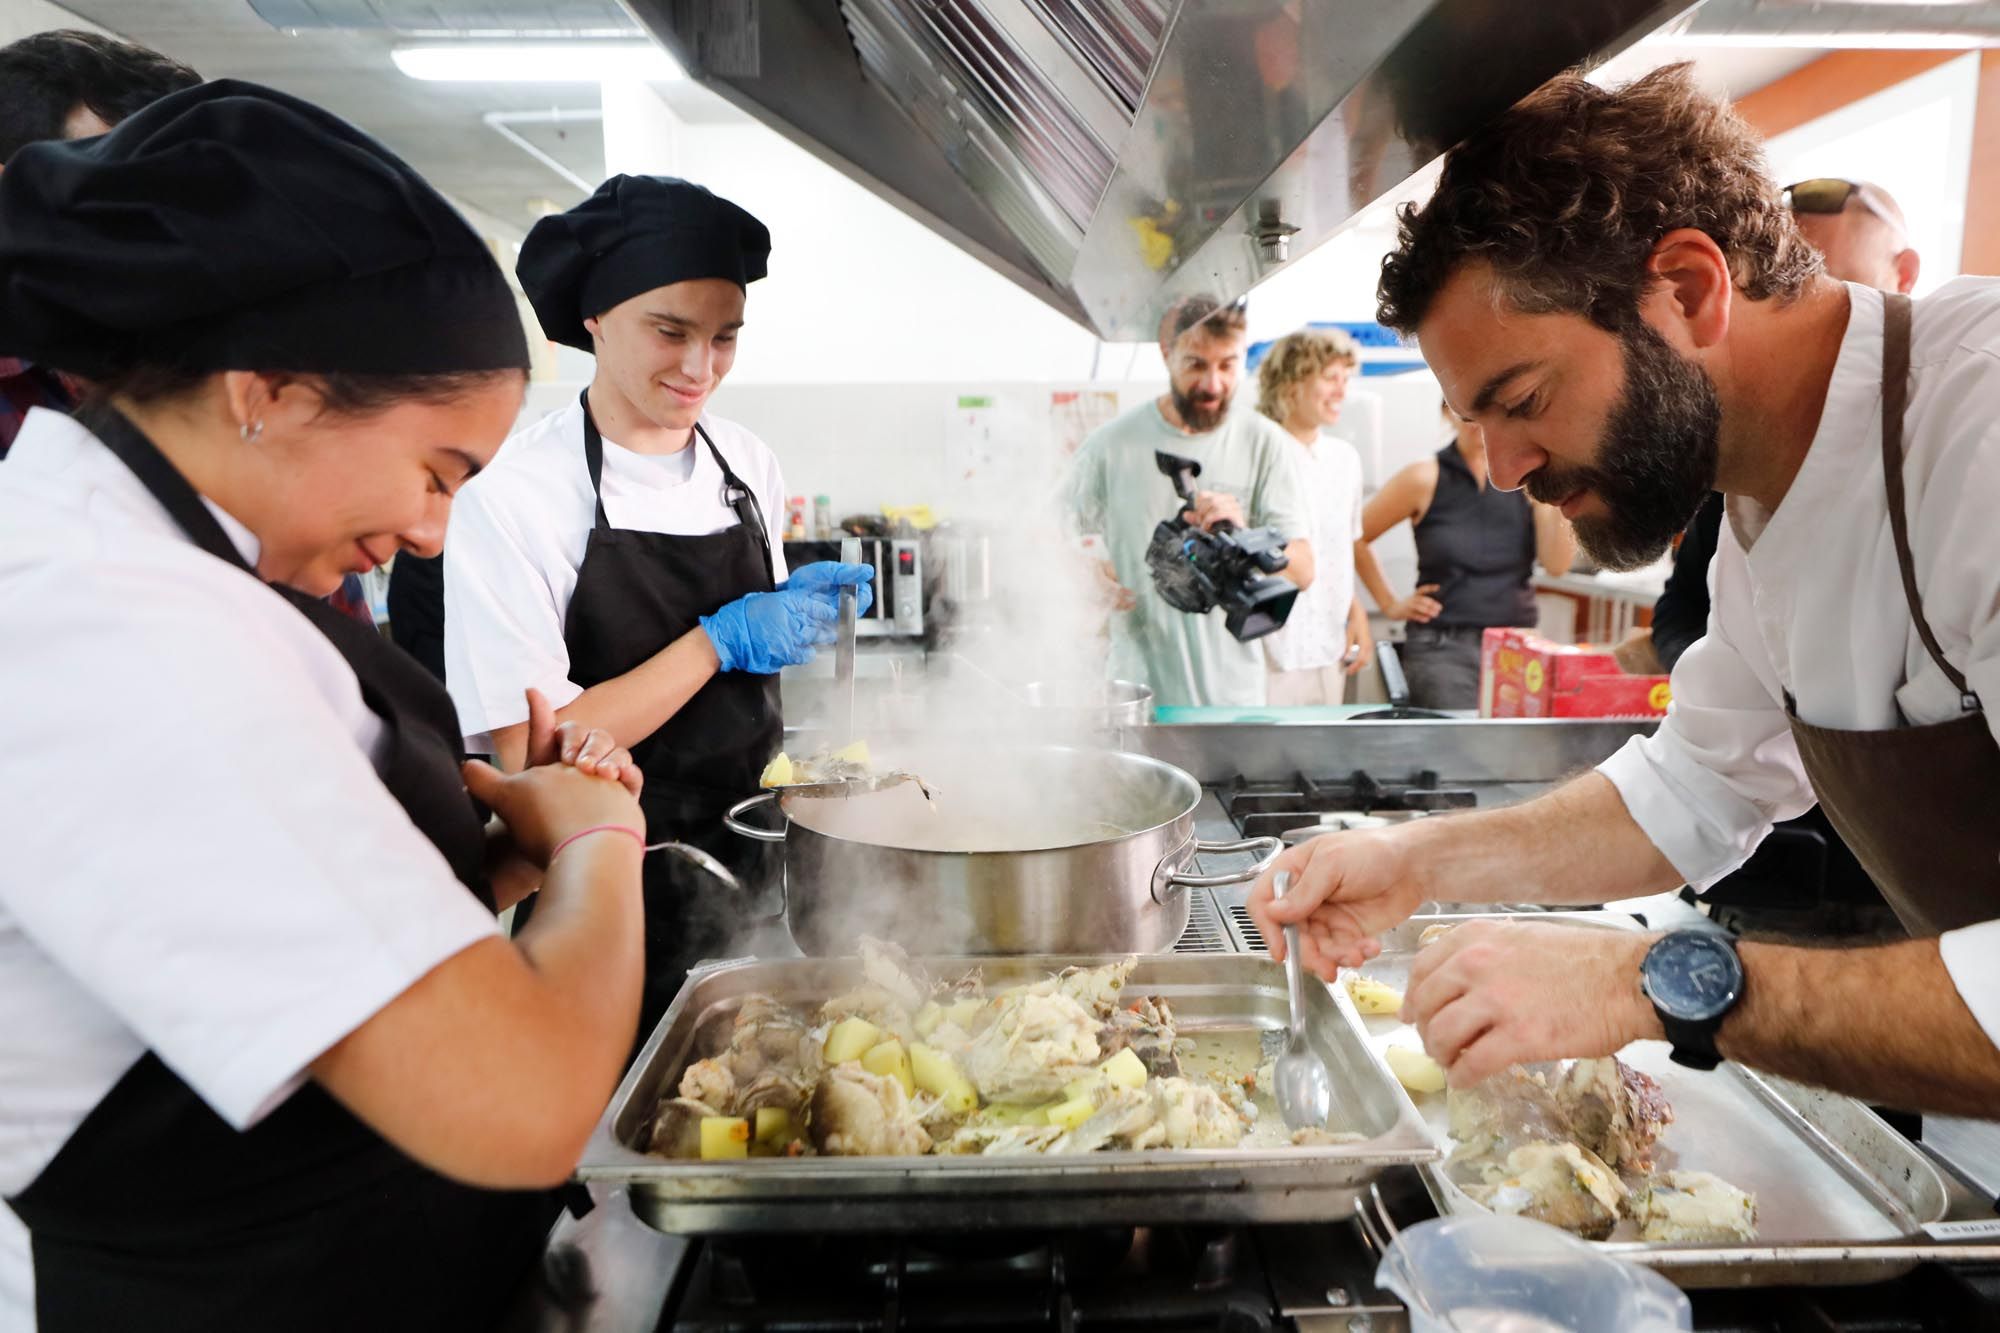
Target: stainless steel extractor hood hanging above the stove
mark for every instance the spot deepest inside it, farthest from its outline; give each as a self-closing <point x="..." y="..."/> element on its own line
<point x="1113" y="155"/>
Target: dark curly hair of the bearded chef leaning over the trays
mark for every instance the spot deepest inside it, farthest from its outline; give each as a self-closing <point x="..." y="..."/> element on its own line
<point x="1567" y="195"/>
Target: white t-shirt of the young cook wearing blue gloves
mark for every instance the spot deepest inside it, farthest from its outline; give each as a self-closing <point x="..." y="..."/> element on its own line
<point x="519" y="533"/>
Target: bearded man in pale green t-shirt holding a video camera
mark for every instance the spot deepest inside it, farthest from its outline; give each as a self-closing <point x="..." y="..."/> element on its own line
<point x="1249" y="481"/>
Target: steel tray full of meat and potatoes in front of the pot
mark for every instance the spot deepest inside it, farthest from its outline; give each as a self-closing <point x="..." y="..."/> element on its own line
<point x="1211" y="994"/>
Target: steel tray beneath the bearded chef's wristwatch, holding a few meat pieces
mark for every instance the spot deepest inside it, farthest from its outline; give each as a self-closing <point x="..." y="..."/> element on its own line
<point x="1831" y="1178"/>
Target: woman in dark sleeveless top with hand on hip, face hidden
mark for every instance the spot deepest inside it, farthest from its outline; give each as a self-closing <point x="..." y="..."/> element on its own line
<point x="1477" y="549"/>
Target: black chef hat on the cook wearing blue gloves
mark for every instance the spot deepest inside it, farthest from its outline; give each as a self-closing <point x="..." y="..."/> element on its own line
<point x="633" y="235"/>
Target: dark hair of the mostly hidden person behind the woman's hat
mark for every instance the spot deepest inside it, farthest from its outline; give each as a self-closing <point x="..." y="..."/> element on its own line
<point x="49" y="75"/>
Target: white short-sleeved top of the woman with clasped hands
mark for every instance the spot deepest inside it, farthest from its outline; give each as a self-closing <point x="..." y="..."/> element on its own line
<point x="201" y="860"/>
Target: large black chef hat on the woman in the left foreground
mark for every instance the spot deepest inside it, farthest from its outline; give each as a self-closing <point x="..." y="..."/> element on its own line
<point x="239" y="229"/>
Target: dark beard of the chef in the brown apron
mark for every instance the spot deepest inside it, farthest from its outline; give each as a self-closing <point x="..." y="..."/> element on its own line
<point x="1657" y="461"/>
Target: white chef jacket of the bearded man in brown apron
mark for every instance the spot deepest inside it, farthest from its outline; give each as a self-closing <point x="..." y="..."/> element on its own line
<point x="1809" y="599"/>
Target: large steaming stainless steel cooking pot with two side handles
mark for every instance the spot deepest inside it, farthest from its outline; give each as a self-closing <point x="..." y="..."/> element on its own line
<point x="1017" y="852"/>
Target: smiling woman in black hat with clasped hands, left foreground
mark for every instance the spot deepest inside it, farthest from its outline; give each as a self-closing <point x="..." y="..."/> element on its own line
<point x="269" y="1062"/>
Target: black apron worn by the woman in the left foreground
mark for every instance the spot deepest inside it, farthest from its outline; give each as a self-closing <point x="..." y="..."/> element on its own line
<point x="159" y="1216"/>
